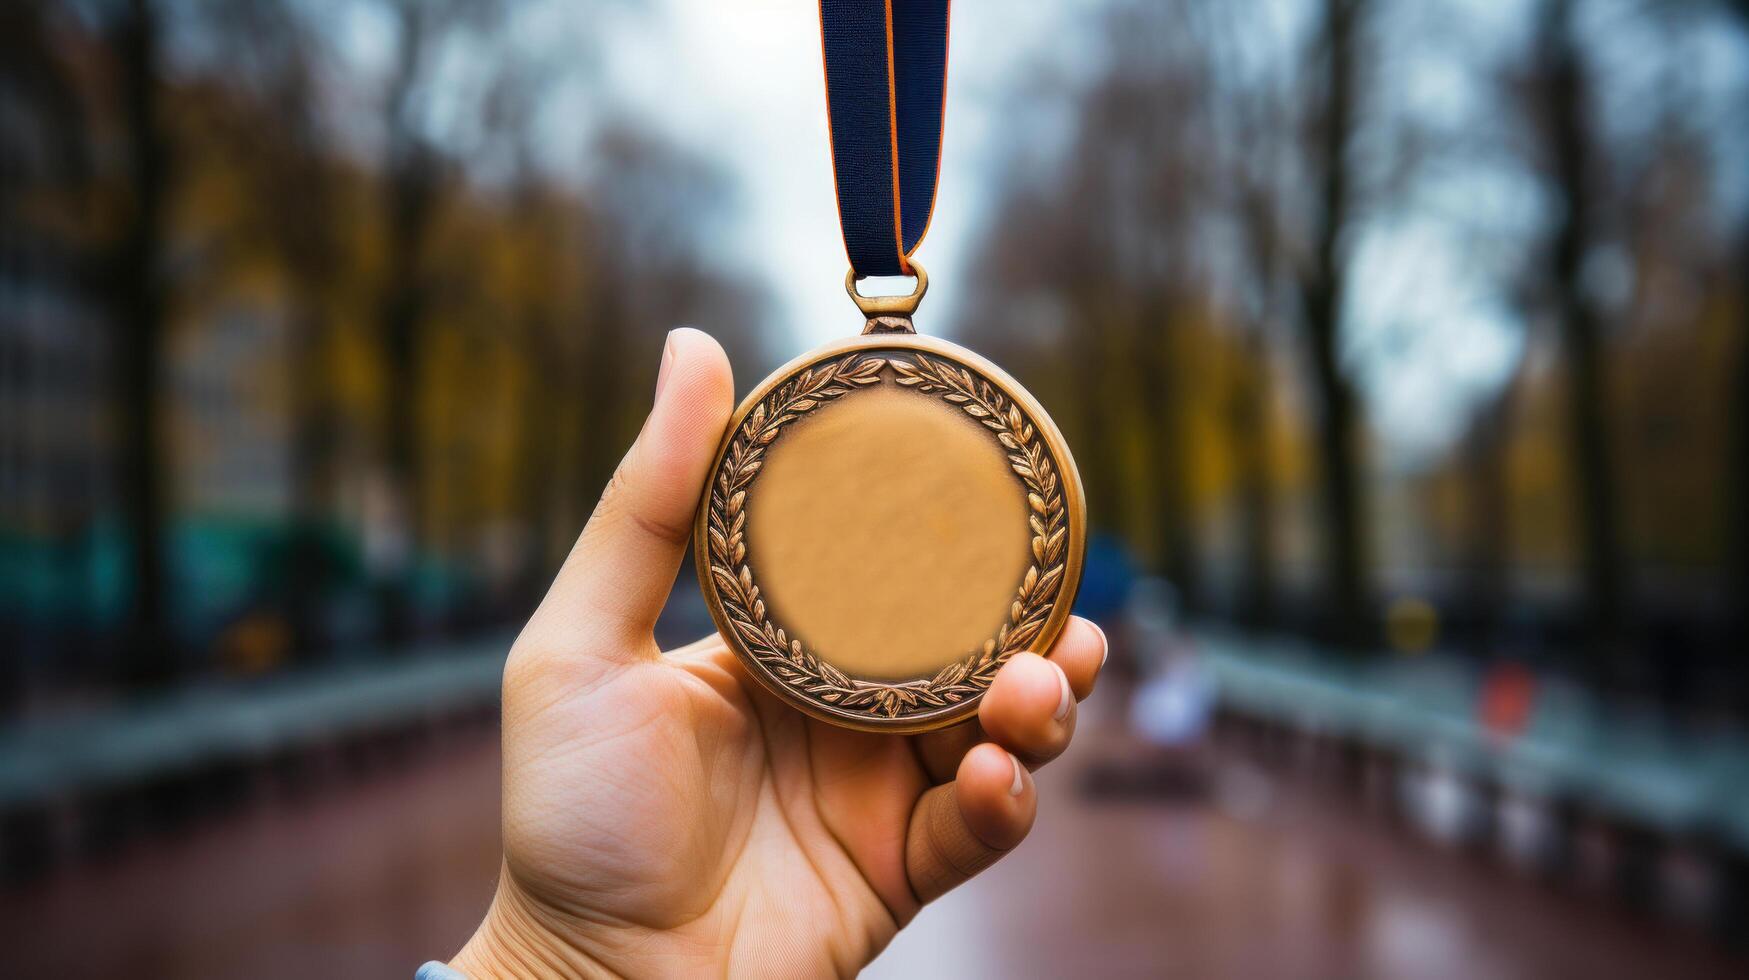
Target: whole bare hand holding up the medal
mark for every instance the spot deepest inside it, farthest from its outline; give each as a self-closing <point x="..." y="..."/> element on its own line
<point x="664" y="815"/>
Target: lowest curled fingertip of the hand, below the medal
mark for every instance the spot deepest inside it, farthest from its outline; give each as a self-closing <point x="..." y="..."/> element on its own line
<point x="961" y="829"/>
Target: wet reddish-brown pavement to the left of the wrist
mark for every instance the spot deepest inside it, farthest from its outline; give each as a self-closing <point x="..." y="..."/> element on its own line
<point x="354" y="876"/>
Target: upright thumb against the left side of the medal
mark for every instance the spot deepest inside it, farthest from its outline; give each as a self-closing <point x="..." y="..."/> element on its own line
<point x="618" y="575"/>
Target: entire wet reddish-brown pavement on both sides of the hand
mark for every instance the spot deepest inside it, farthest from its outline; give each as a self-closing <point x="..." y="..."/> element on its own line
<point x="366" y="876"/>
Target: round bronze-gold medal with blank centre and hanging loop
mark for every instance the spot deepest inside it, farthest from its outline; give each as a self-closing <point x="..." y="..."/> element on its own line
<point x="888" y="521"/>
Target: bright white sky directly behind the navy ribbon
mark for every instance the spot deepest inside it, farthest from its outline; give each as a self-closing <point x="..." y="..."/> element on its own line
<point x="742" y="83"/>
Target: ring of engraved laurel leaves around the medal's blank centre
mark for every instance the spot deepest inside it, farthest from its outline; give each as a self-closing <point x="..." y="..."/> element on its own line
<point x="786" y="657"/>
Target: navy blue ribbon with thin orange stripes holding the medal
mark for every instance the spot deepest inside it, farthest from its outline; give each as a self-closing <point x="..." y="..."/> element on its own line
<point x="886" y="83"/>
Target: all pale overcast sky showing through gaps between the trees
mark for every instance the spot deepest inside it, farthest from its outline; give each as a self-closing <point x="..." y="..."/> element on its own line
<point x="1428" y="330"/>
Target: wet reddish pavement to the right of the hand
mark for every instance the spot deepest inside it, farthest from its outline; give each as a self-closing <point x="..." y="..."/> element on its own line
<point x="1258" y="878"/>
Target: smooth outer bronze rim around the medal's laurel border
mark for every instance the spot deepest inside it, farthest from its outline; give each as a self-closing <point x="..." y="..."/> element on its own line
<point x="1073" y="500"/>
